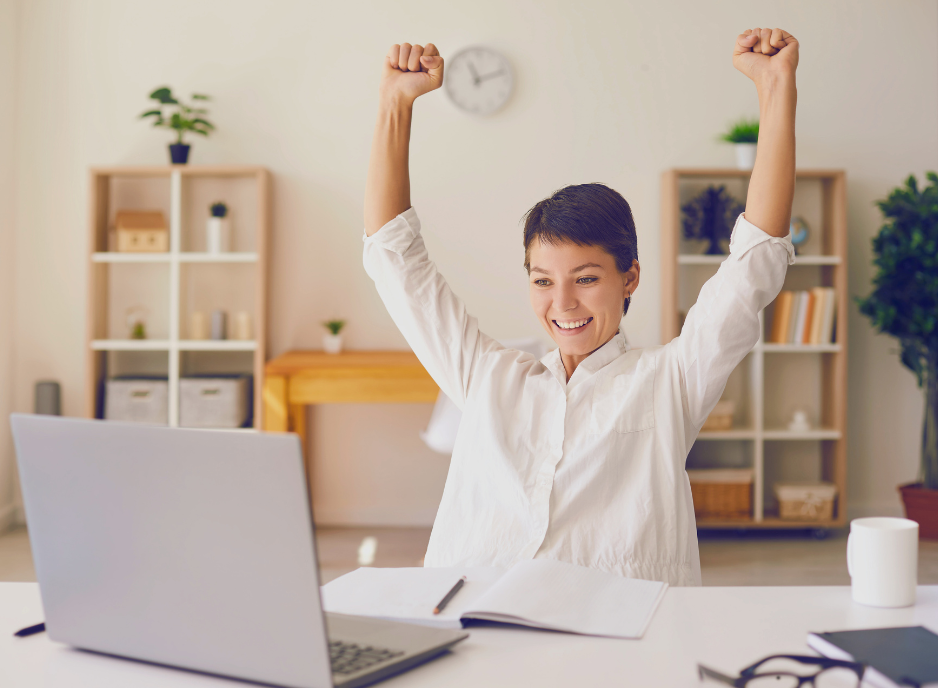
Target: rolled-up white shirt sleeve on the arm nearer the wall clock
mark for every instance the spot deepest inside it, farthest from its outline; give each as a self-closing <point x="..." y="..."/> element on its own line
<point x="431" y="317"/>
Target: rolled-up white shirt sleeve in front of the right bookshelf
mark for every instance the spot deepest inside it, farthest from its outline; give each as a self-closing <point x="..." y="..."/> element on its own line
<point x="723" y="325"/>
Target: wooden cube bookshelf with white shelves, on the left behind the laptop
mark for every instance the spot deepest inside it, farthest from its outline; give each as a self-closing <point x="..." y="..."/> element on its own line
<point x="184" y="279"/>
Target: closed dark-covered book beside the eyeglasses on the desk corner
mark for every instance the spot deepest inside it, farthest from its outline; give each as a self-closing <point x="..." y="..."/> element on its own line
<point x="906" y="656"/>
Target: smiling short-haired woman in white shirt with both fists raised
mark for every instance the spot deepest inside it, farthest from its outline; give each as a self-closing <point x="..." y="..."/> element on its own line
<point x="579" y="456"/>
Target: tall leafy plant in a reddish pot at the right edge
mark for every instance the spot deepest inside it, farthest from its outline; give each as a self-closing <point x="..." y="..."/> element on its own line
<point x="904" y="304"/>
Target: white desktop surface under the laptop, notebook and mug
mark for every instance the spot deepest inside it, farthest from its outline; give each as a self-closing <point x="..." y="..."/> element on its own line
<point x="726" y="628"/>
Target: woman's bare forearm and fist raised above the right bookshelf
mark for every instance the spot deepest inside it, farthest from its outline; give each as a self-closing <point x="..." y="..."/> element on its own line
<point x="770" y="57"/>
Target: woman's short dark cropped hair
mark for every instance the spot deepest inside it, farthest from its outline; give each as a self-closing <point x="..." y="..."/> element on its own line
<point x="586" y="215"/>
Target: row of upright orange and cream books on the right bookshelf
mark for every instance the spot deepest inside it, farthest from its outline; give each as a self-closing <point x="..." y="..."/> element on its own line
<point x="804" y="317"/>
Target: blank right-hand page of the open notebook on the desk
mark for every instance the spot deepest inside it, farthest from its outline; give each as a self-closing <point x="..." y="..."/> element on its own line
<point x="564" y="597"/>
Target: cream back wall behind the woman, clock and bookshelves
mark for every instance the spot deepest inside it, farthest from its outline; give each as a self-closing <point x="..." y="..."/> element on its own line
<point x="606" y="91"/>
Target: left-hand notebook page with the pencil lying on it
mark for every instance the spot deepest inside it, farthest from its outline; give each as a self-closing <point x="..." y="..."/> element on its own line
<point x="407" y="594"/>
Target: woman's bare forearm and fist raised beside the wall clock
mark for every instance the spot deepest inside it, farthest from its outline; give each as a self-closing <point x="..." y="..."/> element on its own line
<point x="408" y="72"/>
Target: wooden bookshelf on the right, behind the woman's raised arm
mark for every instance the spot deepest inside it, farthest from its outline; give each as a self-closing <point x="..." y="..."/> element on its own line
<point x="774" y="378"/>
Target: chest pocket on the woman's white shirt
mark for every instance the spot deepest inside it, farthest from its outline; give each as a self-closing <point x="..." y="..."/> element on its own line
<point x="625" y="402"/>
